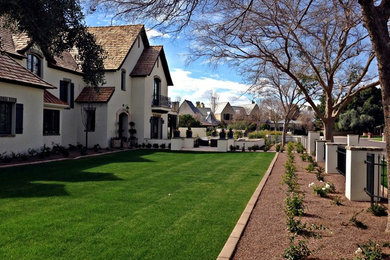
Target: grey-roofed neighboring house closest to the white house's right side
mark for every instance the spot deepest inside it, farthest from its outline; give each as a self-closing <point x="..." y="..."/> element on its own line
<point x="203" y="114"/>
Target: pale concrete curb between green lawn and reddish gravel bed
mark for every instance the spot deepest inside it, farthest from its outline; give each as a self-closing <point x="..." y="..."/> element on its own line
<point x="231" y="244"/>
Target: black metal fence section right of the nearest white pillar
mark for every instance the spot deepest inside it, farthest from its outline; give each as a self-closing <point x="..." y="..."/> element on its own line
<point x="376" y="177"/>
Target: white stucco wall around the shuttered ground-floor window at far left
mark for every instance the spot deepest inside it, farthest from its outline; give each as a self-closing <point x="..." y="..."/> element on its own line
<point x="32" y="100"/>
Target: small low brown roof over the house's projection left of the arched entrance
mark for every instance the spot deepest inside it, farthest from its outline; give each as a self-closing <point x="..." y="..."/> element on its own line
<point x="95" y="95"/>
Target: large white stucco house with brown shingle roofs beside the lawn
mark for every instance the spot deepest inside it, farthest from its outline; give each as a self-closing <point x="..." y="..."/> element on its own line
<point x="57" y="107"/>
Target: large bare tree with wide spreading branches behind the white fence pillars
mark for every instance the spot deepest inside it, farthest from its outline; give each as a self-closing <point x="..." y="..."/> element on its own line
<point x="320" y="45"/>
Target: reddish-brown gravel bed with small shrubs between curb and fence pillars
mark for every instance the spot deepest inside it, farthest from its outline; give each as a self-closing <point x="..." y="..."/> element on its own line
<point x="266" y="236"/>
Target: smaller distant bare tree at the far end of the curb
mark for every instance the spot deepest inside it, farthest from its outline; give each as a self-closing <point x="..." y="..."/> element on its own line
<point x="285" y="94"/>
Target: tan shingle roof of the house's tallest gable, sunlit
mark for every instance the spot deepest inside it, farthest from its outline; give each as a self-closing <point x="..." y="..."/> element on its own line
<point x="116" y="41"/>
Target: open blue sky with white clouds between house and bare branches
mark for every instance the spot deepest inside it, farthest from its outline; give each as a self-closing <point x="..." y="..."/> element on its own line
<point x="195" y="81"/>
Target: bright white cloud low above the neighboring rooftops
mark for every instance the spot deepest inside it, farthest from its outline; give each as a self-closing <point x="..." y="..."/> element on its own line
<point x="199" y="89"/>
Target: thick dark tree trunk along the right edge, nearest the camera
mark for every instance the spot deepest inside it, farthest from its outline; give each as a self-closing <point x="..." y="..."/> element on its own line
<point x="376" y="15"/>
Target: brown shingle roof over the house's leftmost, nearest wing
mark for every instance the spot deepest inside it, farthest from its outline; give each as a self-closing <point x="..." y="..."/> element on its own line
<point x="13" y="72"/>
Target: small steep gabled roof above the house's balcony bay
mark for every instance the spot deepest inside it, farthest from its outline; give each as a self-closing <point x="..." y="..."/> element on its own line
<point x="147" y="62"/>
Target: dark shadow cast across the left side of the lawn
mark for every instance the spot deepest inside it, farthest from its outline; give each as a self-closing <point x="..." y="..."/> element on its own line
<point x="25" y="181"/>
